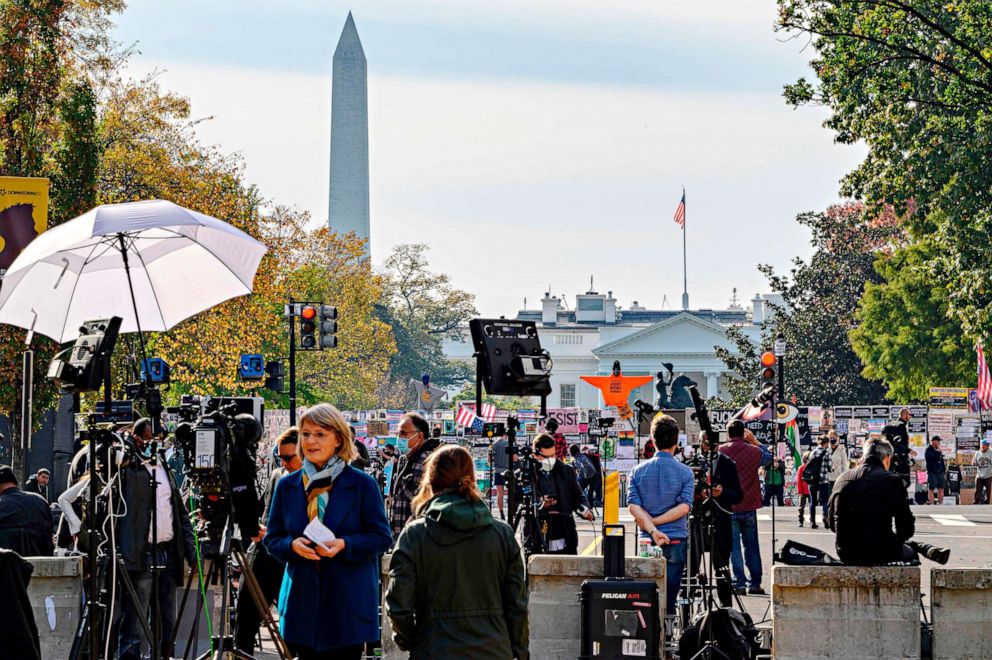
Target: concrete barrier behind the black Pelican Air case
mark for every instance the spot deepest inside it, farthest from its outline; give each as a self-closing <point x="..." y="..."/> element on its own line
<point x="554" y="582"/>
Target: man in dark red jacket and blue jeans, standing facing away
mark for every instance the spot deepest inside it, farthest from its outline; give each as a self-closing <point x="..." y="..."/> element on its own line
<point x="749" y="455"/>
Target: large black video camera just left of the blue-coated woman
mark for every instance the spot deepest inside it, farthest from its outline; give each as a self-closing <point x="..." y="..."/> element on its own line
<point x="219" y="447"/>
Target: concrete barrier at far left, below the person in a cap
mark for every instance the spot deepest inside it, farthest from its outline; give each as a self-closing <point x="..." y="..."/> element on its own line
<point x="56" y="592"/>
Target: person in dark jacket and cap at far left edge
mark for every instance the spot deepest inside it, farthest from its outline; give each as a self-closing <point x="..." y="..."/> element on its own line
<point x="25" y="519"/>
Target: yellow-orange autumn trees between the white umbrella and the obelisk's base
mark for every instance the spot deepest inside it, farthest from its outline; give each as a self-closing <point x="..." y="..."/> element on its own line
<point x="151" y="151"/>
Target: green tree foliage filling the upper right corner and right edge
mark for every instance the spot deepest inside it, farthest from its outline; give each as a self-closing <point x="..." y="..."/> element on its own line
<point x="912" y="80"/>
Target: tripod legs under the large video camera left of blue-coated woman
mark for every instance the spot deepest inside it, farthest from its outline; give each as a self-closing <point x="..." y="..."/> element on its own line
<point x="222" y="644"/>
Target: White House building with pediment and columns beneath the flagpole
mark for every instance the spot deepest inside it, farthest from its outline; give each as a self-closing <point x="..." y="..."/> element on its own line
<point x="586" y="340"/>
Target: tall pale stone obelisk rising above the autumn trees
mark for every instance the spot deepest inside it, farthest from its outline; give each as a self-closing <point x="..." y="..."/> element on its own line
<point x="348" y="207"/>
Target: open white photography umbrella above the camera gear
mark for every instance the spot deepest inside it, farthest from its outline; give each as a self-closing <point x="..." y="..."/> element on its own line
<point x="152" y="263"/>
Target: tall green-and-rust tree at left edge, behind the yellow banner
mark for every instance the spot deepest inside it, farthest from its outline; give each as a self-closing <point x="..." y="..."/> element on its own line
<point x="51" y="52"/>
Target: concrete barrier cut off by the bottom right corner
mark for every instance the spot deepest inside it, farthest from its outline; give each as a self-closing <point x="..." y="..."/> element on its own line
<point x="961" y="611"/>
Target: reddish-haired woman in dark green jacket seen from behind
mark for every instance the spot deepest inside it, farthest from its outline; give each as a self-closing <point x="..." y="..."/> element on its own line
<point x="457" y="585"/>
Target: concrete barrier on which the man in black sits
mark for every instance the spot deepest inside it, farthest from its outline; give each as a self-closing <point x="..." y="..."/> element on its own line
<point x="845" y="612"/>
